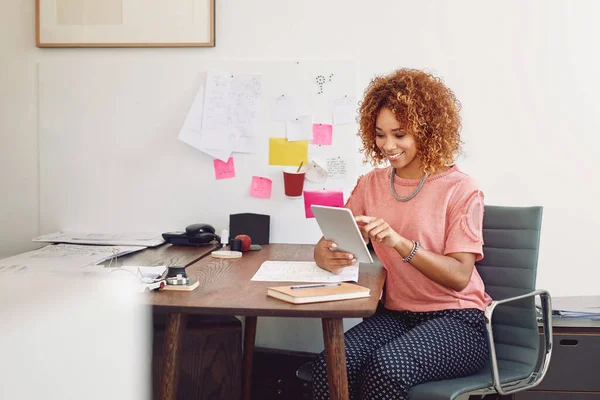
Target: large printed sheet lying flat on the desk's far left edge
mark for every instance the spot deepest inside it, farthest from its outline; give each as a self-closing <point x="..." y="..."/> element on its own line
<point x="63" y="257"/>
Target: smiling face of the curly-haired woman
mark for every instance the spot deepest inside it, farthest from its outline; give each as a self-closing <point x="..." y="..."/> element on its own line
<point x="397" y="145"/>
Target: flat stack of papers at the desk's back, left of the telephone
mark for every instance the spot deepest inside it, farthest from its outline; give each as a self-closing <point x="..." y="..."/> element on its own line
<point x="149" y="239"/>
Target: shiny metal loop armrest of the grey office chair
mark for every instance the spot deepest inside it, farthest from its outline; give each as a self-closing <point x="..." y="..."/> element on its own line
<point x="537" y="376"/>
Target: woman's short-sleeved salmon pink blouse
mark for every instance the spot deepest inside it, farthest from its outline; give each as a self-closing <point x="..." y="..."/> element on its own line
<point x="445" y="217"/>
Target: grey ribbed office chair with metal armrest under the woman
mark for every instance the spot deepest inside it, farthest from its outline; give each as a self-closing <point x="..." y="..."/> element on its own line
<point x="508" y="269"/>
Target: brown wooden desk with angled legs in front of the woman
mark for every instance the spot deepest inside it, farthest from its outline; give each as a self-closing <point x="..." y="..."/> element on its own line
<point x="226" y="289"/>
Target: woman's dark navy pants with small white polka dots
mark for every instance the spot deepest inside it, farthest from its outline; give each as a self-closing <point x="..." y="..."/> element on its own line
<point x="392" y="351"/>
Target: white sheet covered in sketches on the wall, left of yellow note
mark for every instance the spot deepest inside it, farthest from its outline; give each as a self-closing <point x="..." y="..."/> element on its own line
<point x="230" y="113"/>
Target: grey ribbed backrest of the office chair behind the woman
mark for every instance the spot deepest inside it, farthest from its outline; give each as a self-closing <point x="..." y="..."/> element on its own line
<point x="511" y="242"/>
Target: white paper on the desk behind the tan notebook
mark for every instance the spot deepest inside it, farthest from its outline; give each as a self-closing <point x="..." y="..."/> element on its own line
<point x="301" y="271"/>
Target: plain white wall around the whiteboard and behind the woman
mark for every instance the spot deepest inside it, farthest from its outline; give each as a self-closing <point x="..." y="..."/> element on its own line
<point x="525" y="71"/>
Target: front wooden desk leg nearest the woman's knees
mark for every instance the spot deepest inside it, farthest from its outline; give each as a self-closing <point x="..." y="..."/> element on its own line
<point x="335" y="356"/>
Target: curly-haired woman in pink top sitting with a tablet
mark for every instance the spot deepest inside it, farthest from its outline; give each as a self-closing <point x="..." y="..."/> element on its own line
<point x="423" y="217"/>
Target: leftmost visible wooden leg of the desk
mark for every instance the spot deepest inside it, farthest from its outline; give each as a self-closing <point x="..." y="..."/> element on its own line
<point x="174" y="336"/>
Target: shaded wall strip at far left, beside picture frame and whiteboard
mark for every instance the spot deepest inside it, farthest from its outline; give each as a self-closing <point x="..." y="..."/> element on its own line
<point x="19" y="206"/>
